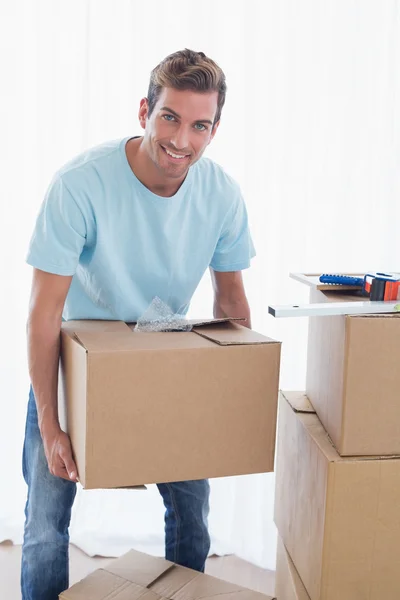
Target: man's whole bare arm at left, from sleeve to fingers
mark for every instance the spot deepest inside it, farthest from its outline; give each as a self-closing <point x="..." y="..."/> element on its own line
<point x="47" y="300"/>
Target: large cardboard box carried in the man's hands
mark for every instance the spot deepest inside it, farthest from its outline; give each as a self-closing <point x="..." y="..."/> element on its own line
<point x="151" y="407"/>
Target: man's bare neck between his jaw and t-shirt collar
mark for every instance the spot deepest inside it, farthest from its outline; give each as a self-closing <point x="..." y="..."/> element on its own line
<point x="146" y="171"/>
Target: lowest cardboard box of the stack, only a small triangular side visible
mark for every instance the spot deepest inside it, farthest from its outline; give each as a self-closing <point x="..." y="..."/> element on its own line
<point x="288" y="584"/>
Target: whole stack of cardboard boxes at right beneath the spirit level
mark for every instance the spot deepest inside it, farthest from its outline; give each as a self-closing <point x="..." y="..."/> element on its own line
<point x="338" y="463"/>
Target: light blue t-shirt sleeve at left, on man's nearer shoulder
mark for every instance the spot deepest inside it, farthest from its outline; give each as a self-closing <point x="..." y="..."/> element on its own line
<point x="59" y="234"/>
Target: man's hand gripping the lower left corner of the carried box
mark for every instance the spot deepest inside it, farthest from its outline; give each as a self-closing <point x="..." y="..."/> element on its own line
<point x="58" y="451"/>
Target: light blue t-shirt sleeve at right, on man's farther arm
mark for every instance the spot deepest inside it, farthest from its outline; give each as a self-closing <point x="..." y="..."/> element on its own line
<point x="235" y="247"/>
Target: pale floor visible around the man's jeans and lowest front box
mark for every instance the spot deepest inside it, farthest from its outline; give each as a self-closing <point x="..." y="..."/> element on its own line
<point x="229" y="568"/>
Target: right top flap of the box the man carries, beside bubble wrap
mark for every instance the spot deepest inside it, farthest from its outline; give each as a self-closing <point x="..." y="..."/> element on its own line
<point x="228" y="333"/>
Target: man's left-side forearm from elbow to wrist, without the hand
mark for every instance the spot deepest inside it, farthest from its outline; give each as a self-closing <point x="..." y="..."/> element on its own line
<point x="43" y="359"/>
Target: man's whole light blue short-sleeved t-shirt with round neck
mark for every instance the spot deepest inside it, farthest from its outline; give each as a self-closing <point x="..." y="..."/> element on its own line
<point x="124" y="245"/>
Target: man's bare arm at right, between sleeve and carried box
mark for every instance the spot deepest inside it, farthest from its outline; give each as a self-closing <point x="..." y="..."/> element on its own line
<point x="229" y="296"/>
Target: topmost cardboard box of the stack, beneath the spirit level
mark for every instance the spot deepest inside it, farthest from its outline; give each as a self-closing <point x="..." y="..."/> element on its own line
<point x="353" y="379"/>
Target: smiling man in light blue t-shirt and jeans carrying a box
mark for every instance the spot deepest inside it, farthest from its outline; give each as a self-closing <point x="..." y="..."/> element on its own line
<point x="121" y="224"/>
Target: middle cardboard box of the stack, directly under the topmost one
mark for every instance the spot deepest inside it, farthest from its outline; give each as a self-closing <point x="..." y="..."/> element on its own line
<point x="338" y="517"/>
